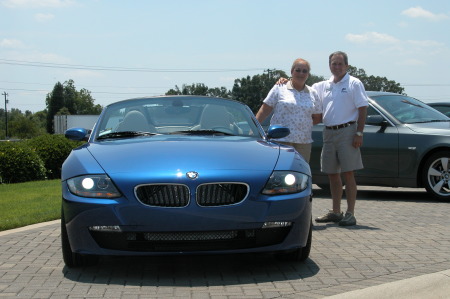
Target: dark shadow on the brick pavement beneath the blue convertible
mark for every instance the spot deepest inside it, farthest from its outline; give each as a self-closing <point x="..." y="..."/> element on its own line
<point x="191" y="271"/>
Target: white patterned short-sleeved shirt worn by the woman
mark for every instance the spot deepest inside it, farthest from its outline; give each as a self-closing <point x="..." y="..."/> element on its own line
<point x="294" y="109"/>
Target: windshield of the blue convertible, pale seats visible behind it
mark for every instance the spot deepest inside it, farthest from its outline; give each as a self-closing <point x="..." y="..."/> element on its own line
<point x="189" y="115"/>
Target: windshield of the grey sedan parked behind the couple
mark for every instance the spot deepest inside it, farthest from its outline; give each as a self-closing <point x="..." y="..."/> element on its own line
<point x="408" y="110"/>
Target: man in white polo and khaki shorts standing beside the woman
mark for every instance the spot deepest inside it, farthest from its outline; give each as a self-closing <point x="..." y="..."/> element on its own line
<point x="344" y="112"/>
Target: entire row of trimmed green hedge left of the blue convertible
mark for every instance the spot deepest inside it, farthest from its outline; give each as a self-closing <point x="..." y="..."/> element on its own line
<point x="35" y="159"/>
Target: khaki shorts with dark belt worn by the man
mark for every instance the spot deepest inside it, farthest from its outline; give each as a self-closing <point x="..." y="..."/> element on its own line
<point x="338" y="153"/>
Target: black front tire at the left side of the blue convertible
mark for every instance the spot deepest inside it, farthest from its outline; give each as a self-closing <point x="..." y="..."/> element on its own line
<point x="71" y="259"/>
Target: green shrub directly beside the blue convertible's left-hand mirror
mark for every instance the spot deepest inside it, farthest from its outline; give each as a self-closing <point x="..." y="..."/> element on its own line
<point x="53" y="150"/>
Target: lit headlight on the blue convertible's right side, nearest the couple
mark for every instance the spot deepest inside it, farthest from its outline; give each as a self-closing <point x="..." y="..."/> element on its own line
<point x="285" y="182"/>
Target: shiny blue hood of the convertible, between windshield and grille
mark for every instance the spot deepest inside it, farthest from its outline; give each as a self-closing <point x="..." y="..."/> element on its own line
<point x="163" y="155"/>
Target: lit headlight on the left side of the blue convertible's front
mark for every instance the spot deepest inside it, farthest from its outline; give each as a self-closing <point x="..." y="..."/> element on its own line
<point x="96" y="186"/>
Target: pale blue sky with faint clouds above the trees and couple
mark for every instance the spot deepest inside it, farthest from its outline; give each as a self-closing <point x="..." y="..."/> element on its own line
<point x="120" y="49"/>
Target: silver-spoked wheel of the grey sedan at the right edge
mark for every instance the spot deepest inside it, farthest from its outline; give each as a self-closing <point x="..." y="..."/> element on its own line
<point x="436" y="175"/>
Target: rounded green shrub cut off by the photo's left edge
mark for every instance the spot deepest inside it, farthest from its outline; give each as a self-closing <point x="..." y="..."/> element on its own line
<point x="20" y="163"/>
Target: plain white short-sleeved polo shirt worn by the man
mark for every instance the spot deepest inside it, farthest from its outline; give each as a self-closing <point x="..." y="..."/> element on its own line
<point x="341" y="100"/>
